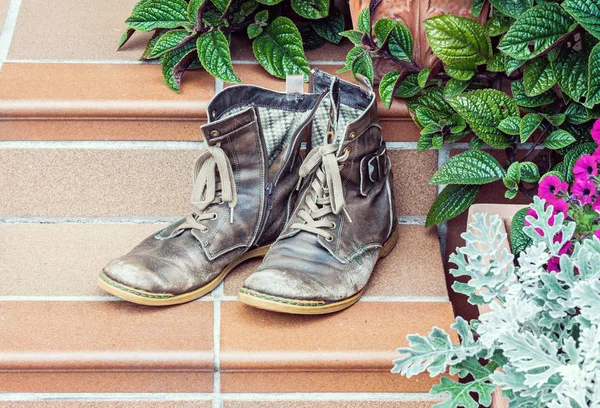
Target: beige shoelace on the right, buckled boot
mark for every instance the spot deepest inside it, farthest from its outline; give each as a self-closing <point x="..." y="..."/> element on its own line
<point x="327" y="192"/>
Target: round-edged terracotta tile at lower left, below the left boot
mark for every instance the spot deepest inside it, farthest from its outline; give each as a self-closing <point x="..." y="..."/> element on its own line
<point x="66" y="337"/>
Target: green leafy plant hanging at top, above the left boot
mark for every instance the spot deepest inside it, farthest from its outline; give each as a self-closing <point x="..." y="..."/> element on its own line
<point x="194" y="34"/>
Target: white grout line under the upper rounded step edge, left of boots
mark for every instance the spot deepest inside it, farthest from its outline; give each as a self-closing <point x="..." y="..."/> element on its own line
<point x="102" y="145"/>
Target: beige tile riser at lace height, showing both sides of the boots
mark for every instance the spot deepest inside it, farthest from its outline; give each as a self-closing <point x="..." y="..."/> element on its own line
<point x="97" y="179"/>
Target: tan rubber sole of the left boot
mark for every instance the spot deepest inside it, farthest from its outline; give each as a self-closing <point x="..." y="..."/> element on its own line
<point x="141" y="297"/>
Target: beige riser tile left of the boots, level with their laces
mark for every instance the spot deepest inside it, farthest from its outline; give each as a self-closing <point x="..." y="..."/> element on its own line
<point x="58" y="182"/>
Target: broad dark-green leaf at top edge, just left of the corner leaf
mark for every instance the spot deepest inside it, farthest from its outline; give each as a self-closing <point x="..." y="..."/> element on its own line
<point x="539" y="27"/>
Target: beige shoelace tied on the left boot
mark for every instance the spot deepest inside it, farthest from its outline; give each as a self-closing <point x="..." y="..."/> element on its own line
<point x="208" y="191"/>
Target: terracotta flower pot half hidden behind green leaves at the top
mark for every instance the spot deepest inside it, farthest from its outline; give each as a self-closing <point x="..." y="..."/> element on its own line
<point x="412" y="13"/>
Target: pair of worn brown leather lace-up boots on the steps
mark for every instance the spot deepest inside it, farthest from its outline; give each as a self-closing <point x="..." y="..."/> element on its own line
<point x="321" y="222"/>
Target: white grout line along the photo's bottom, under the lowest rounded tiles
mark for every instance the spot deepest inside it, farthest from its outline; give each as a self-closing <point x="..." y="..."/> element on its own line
<point x="300" y="396"/>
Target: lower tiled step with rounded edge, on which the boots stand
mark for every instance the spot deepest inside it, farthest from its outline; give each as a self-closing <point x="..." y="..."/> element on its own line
<point x="60" y="334"/>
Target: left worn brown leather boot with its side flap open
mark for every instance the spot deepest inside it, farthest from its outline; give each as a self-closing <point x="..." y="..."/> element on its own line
<point x="244" y="184"/>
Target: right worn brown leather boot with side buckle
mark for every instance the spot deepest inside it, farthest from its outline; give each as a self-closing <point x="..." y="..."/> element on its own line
<point x="345" y="218"/>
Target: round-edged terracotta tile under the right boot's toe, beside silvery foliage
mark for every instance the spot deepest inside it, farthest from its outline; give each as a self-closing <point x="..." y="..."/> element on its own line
<point x="269" y="352"/>
